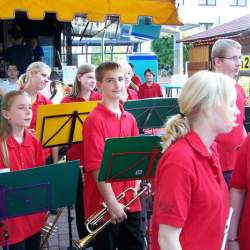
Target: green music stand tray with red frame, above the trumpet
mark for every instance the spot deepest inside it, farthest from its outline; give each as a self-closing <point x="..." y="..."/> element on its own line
<point x="130" y="158"/>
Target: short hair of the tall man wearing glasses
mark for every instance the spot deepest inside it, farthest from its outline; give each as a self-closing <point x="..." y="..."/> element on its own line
<point x="221" y="46"/>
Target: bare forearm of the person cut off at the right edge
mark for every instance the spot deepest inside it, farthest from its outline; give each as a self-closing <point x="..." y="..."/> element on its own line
<point x="237" y="199"/>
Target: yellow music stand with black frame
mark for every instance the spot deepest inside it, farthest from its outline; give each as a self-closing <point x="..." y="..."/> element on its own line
<point x="61" y="124"/>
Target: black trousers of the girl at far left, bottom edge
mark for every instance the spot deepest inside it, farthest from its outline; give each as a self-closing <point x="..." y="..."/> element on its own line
<point x="31" y="243"/>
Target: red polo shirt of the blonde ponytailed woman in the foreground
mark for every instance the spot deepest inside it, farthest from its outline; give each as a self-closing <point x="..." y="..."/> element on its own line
<point x="191" y="194"/>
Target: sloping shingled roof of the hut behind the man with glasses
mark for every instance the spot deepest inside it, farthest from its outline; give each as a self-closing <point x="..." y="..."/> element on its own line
<point x="227" y="30"/>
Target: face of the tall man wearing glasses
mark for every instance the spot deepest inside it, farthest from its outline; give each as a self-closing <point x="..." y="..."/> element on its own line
<point x="230" y="63"/>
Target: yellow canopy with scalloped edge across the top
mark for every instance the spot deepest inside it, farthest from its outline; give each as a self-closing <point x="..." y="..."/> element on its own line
<point x="161" y="11"/>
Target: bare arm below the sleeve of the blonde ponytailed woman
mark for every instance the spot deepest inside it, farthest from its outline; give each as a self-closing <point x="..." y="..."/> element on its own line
<point x="168" y="237"/>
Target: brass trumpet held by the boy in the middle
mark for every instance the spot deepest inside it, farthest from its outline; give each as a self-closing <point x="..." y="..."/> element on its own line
<point x="96" y="218"/>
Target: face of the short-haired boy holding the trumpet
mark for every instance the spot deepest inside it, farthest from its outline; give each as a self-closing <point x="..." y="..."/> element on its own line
<point x="112" y="85"/>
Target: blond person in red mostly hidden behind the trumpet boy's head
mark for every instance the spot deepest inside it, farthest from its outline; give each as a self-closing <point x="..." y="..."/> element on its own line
<point x="128" y="93"/>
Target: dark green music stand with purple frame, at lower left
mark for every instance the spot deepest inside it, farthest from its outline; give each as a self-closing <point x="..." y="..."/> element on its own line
<point x="37" y="190"/>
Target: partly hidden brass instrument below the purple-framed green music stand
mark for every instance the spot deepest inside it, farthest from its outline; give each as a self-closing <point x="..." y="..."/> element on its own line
<point x="50" y="228"/>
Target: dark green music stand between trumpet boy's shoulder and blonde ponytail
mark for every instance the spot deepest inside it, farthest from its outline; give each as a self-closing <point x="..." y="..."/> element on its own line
<point x="152" y="112"/>
